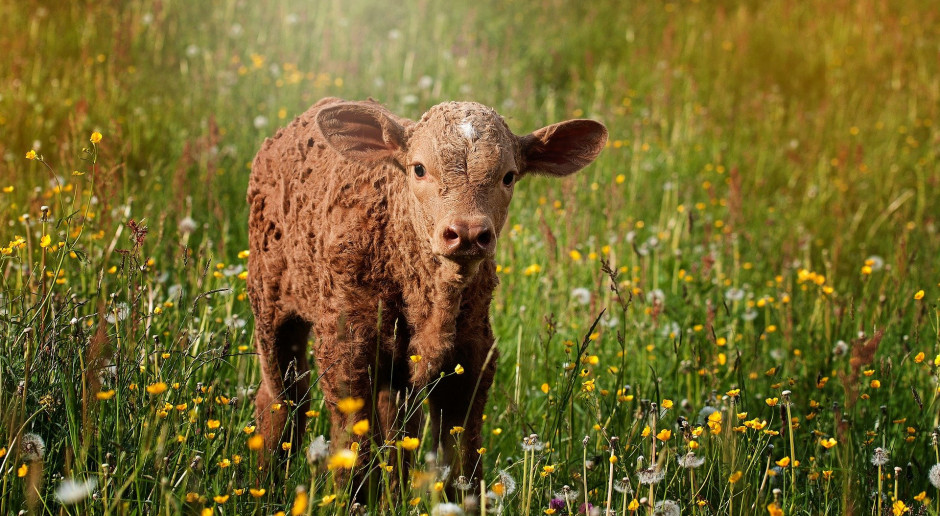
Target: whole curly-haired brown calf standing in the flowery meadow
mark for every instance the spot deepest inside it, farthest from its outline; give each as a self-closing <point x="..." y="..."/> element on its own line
<point x="381" y="262"/>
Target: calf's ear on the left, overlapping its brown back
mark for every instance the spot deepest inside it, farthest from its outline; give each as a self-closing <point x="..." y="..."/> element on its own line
<point x="361" y="132"/>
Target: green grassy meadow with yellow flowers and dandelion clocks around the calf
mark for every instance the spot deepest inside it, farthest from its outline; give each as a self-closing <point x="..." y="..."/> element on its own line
<point x="735" y="310"/>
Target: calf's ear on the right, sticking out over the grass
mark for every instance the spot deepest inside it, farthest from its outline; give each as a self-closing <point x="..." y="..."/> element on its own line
<point x="564" y="148"/>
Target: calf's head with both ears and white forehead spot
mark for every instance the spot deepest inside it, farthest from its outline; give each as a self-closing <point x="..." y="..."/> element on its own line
<point x="462" y="163"/>
